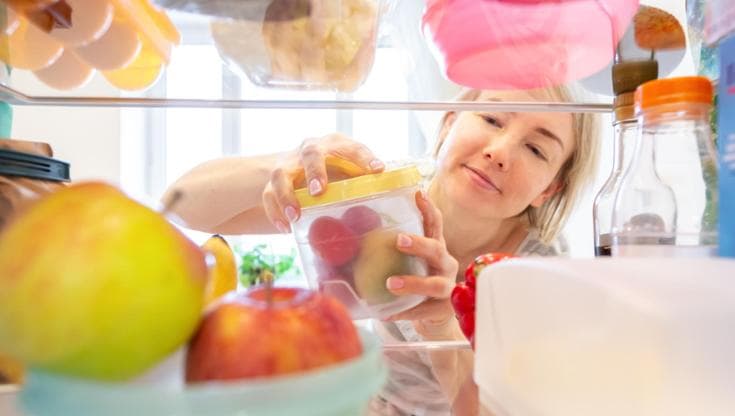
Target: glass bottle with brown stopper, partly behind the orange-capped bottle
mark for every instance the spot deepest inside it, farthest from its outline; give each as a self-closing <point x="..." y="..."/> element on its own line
<point x="626" y="77"/>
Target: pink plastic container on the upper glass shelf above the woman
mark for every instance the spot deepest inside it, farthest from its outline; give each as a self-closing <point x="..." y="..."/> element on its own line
<point x="522" y="44"/>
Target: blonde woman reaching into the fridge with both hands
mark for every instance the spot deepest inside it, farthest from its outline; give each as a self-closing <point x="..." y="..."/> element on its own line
<point x="504" y="182"/>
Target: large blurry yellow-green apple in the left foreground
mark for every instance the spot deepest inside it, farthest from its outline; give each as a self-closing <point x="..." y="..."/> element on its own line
<point x="96" y="285"/>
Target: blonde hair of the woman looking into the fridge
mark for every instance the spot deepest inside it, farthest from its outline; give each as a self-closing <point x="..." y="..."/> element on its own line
<point x="575" y="174"/>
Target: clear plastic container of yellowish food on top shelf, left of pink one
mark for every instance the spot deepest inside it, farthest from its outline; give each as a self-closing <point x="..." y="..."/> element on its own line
<point x="326" y="45"/>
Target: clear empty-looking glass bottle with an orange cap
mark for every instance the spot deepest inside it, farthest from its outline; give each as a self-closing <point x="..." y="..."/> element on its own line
<point x="660" y="207"/>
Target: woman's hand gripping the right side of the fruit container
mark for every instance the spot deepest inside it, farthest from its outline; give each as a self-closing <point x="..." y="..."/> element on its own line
<point x="433" y="318"/>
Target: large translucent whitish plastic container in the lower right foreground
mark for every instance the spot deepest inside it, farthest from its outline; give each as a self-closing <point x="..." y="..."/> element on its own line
<point x="606" y="337"/>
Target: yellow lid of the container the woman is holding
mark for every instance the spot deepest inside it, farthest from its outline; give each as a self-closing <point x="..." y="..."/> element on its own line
<point x="361" y="186"/>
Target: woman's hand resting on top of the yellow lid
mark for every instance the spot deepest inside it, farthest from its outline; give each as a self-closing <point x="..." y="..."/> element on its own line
<point x="279" y="200"/>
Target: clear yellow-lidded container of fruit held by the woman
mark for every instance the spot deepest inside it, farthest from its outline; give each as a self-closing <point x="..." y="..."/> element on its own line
<point x="347" y="240"/>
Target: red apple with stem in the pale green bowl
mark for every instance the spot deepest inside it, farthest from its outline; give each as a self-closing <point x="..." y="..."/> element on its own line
<point x="245" y="336"/>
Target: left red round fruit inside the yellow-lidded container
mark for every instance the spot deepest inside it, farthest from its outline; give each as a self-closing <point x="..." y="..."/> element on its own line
<point x="332" y="241"/>
